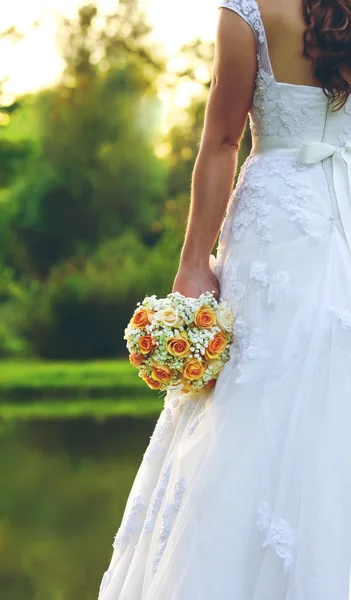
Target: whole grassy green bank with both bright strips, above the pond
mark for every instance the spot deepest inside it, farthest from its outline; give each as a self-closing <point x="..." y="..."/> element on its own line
<point x="98" y="389"/>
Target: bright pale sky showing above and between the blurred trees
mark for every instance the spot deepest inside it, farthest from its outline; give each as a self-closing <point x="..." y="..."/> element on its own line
<point x="34" y="63"/>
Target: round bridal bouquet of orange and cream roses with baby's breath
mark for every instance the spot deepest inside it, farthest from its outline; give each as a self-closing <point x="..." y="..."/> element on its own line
<point x="178" y="342"/>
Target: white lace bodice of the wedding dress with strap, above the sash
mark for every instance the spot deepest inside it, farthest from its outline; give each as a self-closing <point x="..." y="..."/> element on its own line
<point x="283" y="109"/>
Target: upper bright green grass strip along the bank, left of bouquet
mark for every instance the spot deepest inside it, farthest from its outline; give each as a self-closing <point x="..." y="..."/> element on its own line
<point x="50" y="379"/>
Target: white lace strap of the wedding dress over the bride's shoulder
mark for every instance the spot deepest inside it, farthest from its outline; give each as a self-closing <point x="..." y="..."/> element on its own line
<point x="250" y="12"/>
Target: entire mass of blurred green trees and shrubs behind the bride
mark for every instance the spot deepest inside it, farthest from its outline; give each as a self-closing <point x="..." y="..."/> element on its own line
<point x="92" y="213"/>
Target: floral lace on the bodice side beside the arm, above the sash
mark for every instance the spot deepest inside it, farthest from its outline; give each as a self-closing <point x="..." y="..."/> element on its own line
<point x="273" y="111"/>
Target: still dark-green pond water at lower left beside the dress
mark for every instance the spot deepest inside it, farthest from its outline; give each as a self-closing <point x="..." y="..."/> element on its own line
<point x="64" y="485"/>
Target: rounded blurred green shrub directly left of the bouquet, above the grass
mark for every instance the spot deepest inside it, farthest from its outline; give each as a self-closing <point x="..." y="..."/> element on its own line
<point x="81" y="310"/>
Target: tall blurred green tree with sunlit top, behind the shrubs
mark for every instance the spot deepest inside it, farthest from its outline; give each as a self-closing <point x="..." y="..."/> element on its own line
<point x="96" y="171"/>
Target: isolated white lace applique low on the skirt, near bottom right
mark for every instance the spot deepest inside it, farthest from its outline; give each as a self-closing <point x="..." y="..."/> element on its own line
<point x="278" y="534"/>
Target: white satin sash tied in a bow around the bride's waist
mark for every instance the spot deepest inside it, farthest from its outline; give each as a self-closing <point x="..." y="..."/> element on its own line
<point x="310" y="153"/>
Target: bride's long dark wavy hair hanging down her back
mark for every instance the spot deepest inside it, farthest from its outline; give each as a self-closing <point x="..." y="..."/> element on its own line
<point x="327" y="42"/>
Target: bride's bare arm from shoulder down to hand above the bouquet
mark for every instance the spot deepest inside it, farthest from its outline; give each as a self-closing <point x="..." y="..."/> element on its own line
<point x="226" y="113"/>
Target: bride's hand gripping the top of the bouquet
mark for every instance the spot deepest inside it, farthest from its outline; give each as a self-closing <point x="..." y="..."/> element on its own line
<point x="192" y="281"/>
